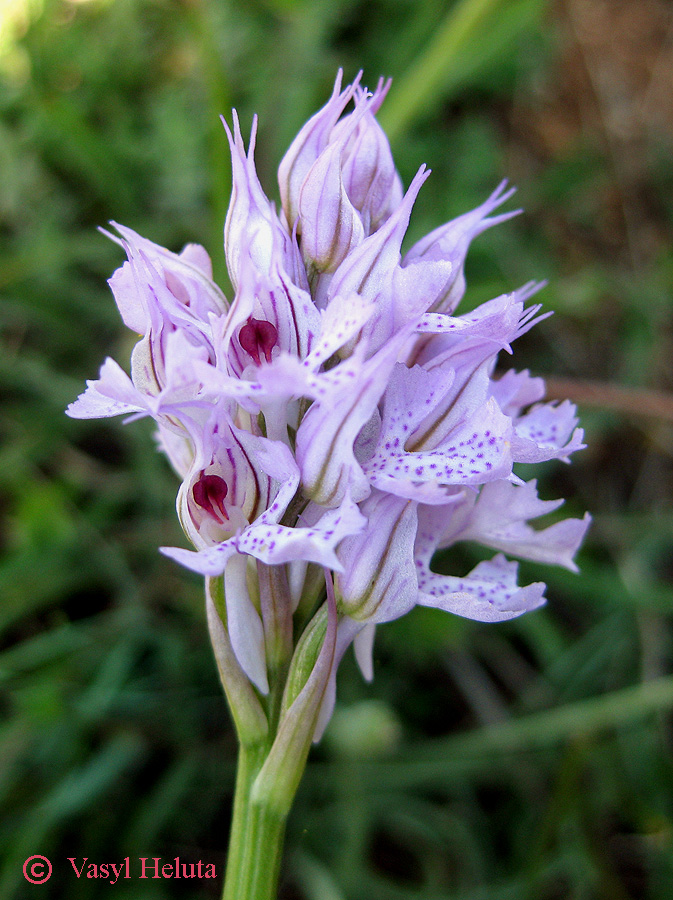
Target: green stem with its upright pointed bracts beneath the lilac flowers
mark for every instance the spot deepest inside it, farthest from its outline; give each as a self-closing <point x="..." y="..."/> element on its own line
<point x="270" y="763"/>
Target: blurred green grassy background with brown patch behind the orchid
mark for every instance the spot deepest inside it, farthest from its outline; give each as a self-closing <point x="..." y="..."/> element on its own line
<point x="529" y="760"/>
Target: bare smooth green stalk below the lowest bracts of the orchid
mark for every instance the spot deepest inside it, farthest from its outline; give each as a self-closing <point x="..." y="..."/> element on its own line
<point x="256" y="839"/>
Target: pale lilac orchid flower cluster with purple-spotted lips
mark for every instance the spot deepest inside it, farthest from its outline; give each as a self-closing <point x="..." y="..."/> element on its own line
<point x="336" y="423"/>
